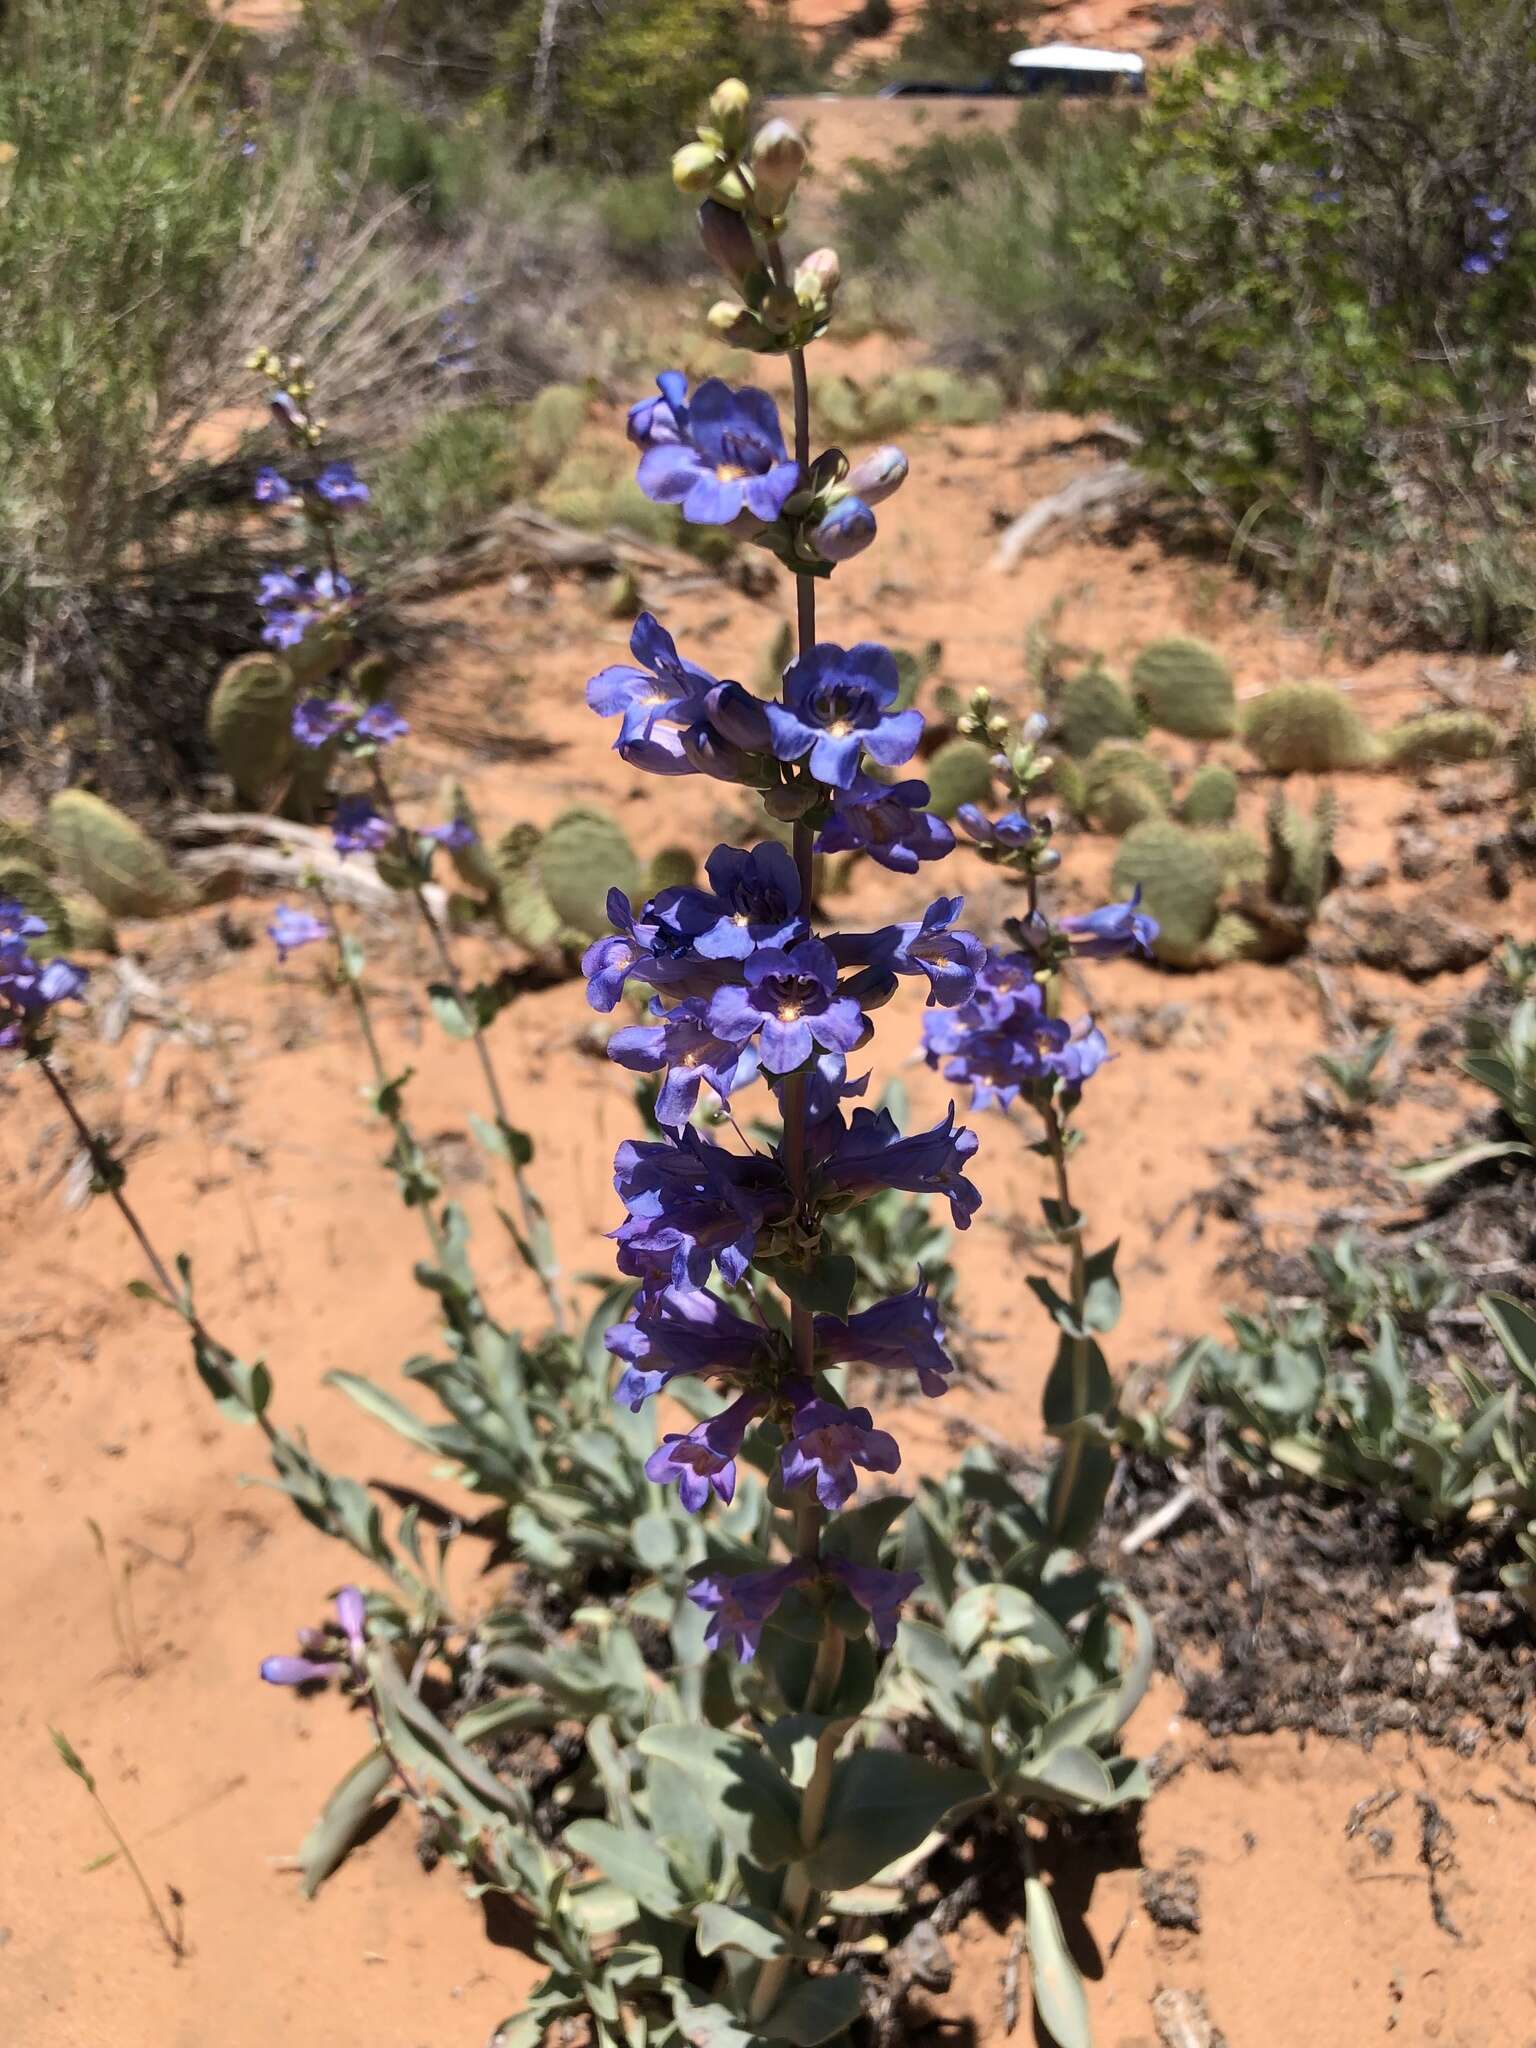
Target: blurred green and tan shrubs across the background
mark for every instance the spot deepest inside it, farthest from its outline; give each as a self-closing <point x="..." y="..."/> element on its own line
<point x="1302" y="273"/>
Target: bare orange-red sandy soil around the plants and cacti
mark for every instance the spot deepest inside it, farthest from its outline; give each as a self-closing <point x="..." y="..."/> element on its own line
<point x="251" y="1150"/>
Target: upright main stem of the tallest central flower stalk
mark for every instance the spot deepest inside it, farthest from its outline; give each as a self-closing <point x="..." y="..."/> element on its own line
<point x="800" y="1902"/>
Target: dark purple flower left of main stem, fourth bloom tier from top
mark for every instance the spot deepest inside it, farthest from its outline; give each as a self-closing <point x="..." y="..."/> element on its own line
<point x="691" y="1207"/>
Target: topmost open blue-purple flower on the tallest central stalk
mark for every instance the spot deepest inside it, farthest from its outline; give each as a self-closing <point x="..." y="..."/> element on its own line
<point x="720" y="458"/>
